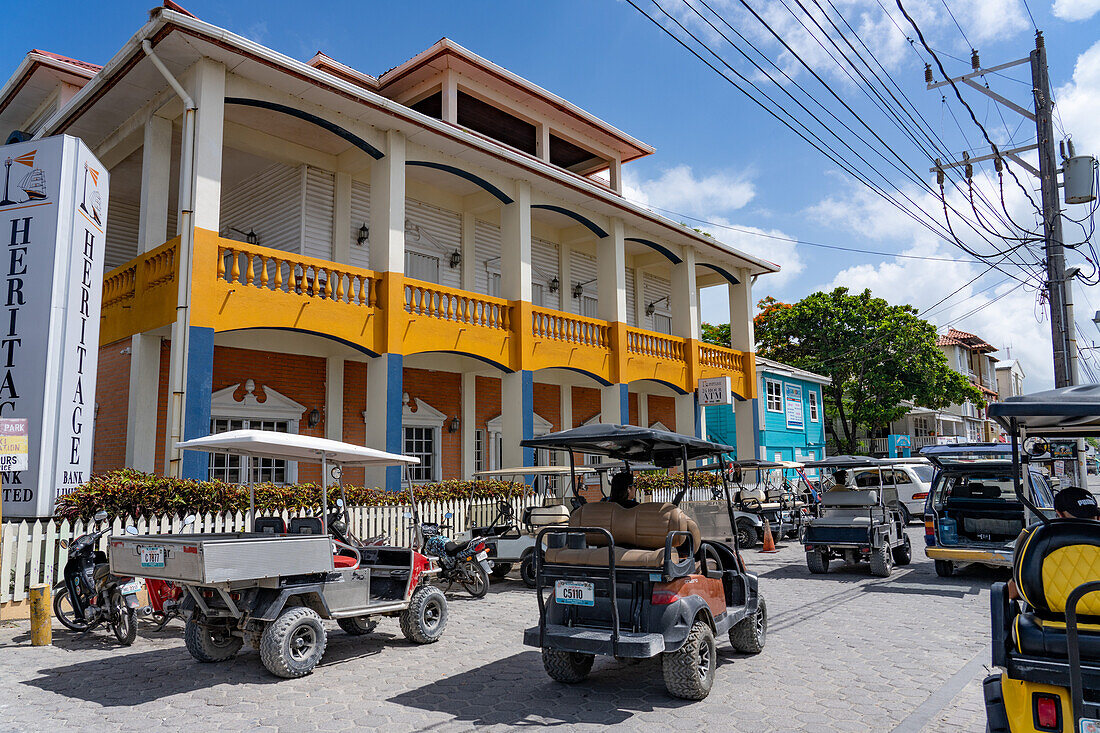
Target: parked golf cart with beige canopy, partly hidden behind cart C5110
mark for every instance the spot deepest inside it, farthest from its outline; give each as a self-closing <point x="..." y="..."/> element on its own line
<point x="511" y="541"/>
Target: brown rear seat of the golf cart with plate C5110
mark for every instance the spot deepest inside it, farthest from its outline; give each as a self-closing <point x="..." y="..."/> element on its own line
<point x="641" y="537"/>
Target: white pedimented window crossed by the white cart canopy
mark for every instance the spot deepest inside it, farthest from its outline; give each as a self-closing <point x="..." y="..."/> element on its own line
<point x="277" y="413"/>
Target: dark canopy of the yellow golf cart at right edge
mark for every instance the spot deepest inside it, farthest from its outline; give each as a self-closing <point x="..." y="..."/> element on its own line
<point x="1066" y="412"/>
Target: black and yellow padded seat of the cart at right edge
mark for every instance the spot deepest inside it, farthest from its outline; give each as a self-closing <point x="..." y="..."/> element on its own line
<point x="1057" y="559"/>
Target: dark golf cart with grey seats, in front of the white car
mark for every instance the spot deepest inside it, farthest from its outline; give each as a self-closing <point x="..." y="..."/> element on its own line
<point x="859" y="522"/>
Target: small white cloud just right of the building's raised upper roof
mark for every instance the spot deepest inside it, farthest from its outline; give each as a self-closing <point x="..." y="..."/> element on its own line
<point x="679" y="190"/>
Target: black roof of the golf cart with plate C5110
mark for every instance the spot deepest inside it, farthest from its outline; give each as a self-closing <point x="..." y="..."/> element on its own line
<point x="630" y="443"/>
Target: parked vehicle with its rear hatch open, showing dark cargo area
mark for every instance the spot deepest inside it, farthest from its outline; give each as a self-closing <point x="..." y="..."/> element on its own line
<point x="973" y="515"/>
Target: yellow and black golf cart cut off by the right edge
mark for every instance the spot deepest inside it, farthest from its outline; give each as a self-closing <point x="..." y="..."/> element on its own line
<point x="1049" y="643"/>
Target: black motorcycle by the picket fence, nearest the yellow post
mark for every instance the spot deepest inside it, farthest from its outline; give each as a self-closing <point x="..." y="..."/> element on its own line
<point x="90" y="595"/>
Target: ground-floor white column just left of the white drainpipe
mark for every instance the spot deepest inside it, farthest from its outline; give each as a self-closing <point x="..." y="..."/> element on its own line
<point x="141" y="411"/>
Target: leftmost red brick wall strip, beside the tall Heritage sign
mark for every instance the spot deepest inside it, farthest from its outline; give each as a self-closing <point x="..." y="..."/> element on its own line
<point x="113" y="397"/>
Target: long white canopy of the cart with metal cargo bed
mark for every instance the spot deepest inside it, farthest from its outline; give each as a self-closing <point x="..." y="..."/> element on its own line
<point x="269" y="444"/>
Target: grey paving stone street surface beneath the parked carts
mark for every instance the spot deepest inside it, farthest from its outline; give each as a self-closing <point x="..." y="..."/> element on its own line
<point x="845" y="652"/>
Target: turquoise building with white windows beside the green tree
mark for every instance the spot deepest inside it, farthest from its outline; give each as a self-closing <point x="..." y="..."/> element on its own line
<point x="789" y="420"/>
